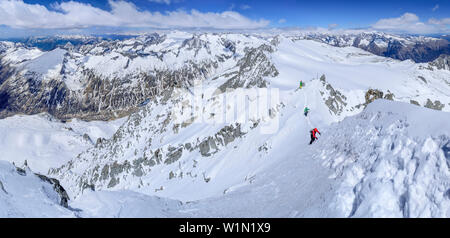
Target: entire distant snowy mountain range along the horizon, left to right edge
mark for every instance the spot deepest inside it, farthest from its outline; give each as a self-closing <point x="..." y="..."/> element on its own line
<point x="107" y="79"/>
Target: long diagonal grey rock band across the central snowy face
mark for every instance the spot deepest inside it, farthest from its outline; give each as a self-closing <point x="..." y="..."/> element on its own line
<point x="108" y="173"/>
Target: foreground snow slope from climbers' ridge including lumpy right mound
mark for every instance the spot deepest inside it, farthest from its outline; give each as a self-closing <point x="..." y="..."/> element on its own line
<point x="383" y="162"/>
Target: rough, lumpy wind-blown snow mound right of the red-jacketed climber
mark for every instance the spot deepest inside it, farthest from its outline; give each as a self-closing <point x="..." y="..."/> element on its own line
<point x="393" y="161"/>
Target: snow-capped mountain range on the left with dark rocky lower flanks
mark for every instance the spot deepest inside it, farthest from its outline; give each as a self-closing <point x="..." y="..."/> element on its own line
<point x="111" y="79"/>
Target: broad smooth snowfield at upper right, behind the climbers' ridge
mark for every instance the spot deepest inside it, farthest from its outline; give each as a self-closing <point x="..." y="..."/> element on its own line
<point x="351" y="73"/>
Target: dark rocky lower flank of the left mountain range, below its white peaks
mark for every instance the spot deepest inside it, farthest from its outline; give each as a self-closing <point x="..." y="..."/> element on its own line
<point x="101" y="99"/>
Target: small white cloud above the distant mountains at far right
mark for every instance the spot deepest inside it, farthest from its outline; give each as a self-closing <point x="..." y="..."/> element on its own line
<point x="410" y="23"/>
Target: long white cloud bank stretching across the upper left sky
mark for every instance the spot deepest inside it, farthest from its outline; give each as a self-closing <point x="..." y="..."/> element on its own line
<point x="70" y="15"/>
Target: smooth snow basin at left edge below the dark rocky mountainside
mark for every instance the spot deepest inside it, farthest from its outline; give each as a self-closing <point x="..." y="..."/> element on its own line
<point x="46" y="142"/>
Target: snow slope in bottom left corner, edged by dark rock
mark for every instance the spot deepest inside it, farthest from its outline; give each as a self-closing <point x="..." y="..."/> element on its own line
<point x="23" y="194"/>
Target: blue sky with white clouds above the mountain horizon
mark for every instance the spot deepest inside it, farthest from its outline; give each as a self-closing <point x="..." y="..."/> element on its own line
<point x="410" y="16"/>
